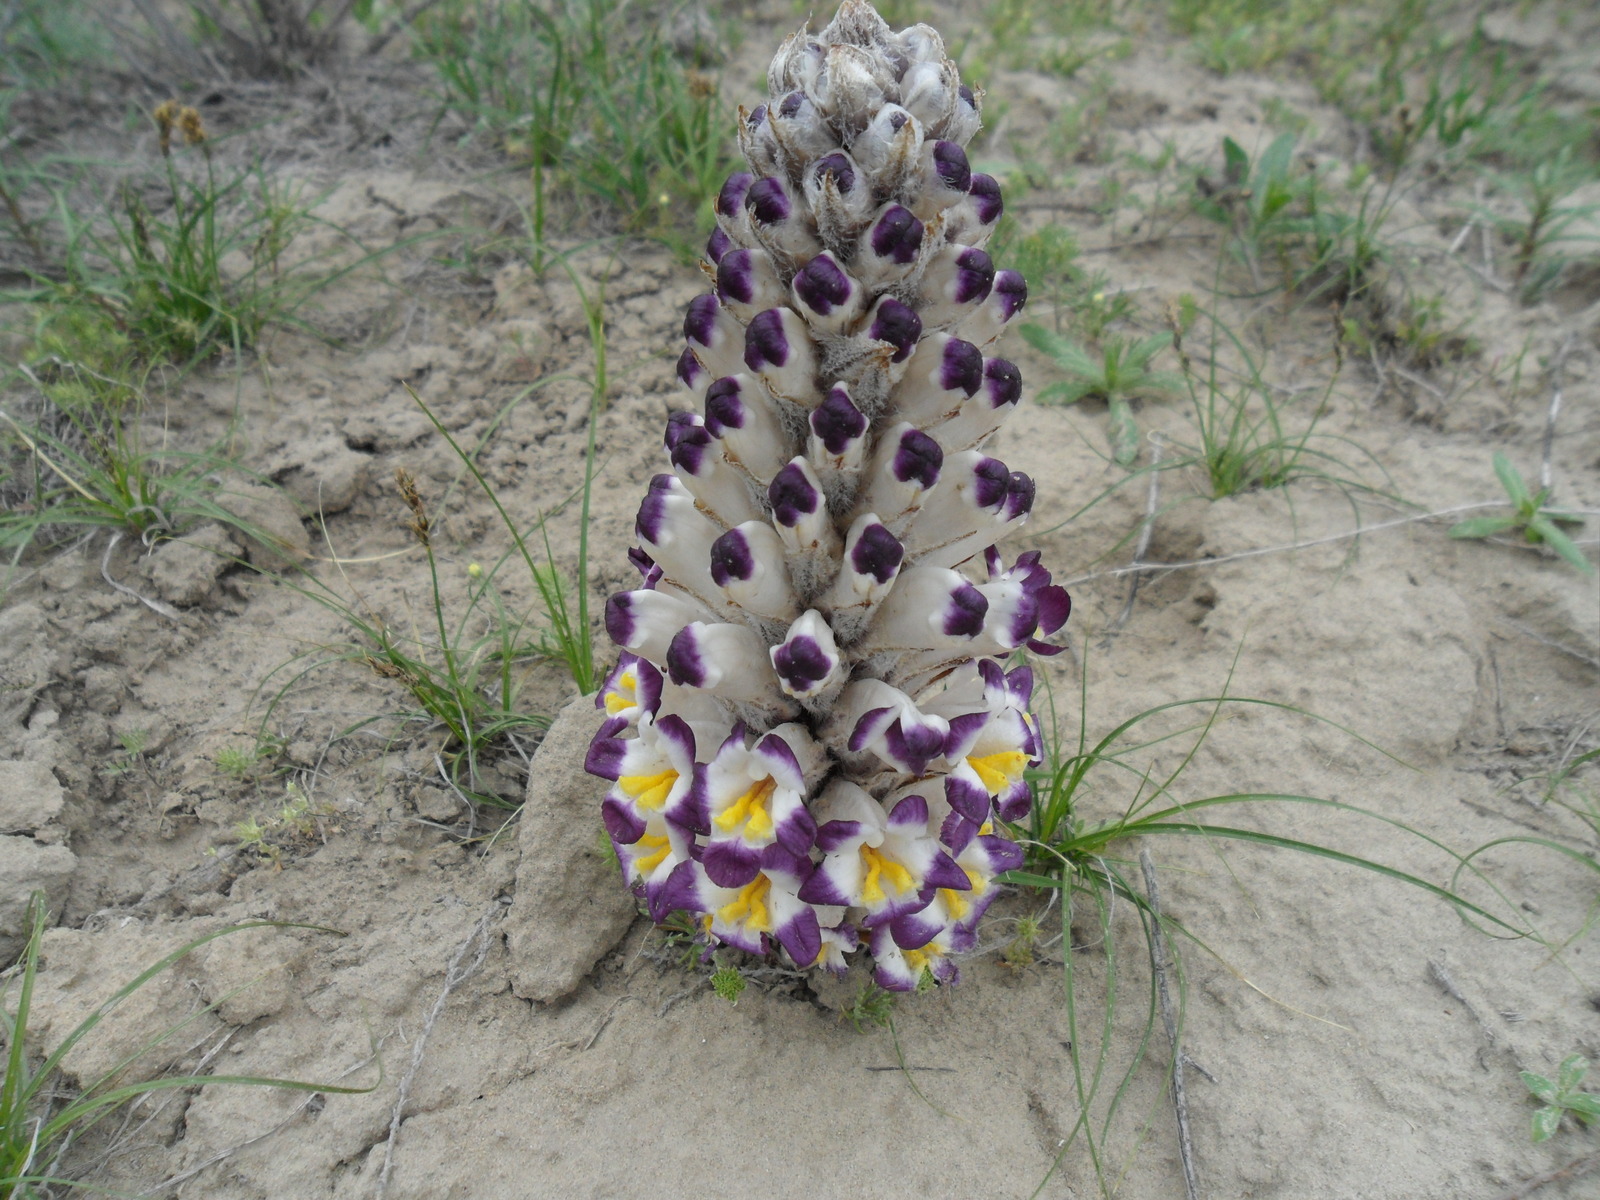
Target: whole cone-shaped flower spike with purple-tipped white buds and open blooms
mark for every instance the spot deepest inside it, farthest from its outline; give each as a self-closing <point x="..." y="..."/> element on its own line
<point x="812" y="735"/>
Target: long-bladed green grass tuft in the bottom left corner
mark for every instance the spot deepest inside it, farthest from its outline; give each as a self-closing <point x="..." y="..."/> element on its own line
<point x="41" y="1119"/>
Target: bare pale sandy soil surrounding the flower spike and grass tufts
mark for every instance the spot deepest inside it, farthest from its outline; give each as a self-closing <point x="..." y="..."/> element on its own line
<point x="1358" y="1038"/>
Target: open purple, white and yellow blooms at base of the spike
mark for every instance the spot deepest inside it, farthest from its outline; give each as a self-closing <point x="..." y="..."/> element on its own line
<point x="714" y="822"/>
